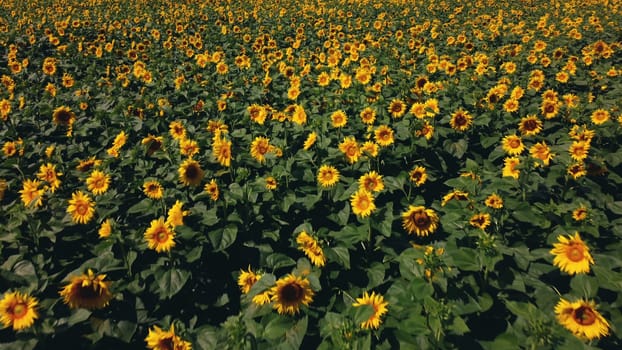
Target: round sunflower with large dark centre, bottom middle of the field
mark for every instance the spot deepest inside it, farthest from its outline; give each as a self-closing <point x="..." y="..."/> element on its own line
<point x="289" y="293"/>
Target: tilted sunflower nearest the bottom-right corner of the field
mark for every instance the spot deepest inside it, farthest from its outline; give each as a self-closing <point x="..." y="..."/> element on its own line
<point x="582" y="319"/>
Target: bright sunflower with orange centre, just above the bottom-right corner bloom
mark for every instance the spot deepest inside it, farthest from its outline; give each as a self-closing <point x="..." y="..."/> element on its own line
<point x="572" y="255"/>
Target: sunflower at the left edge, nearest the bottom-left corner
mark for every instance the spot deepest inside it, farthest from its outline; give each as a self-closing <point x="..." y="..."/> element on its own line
<point x="18" y="310"/>
